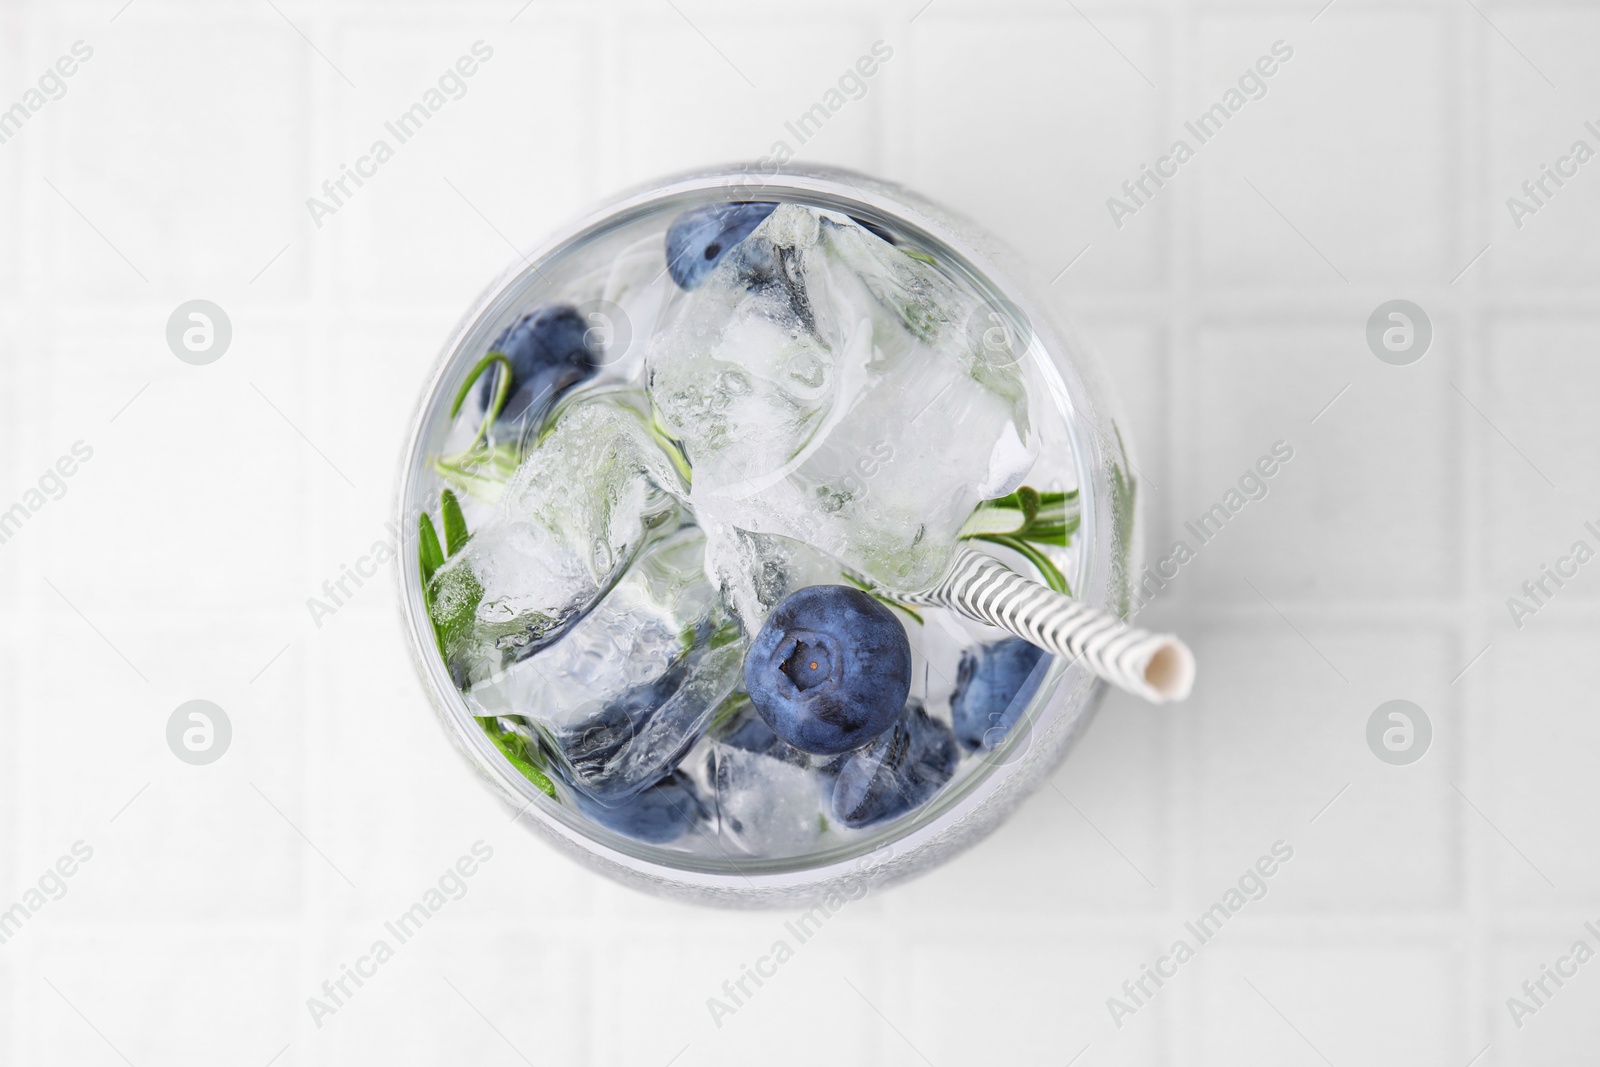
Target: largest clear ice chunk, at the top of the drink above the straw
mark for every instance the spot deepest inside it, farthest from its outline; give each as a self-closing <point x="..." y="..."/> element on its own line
<point x="826" y="388"/>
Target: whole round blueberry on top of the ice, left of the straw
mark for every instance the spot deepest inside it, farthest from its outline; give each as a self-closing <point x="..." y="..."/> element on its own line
<point x="830" y="671"/>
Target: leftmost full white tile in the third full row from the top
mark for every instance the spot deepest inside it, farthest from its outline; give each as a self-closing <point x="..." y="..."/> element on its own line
<point x="170" y="841"/>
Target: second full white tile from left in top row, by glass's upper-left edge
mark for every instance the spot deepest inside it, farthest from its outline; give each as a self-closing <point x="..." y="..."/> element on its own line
<point x="513" y="140"/>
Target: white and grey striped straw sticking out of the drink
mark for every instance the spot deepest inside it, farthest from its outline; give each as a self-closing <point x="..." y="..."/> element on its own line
<point x="1154" y="666"/>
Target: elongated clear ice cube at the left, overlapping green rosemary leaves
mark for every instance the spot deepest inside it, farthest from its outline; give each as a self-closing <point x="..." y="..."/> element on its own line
<point x="582" y="508"/>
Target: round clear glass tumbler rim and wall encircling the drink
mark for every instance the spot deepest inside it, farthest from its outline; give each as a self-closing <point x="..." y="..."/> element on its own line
<point x="1106" y="543"/>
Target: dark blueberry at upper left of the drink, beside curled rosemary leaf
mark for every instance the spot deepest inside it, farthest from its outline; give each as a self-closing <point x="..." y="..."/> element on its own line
<point x="550" y="353"/>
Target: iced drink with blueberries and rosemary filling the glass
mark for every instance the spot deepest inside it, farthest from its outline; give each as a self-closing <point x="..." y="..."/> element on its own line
<point x="678" y="490"/>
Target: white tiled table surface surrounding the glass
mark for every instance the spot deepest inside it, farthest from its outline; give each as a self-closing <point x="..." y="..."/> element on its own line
<point x="1230" y="311"/>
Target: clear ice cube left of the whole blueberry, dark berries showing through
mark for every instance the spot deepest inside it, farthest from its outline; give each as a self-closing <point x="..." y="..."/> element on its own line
<point x="623" y="695"/>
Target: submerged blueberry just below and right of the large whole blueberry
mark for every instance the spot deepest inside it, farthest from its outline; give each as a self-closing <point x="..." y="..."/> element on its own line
<point x="898" y="772"/>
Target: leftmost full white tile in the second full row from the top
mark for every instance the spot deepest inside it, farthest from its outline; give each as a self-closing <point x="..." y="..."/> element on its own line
<point x="193" y="497"/>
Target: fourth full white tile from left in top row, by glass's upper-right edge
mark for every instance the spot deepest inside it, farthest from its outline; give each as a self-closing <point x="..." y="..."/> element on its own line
<point x="1007" y="140"/>
